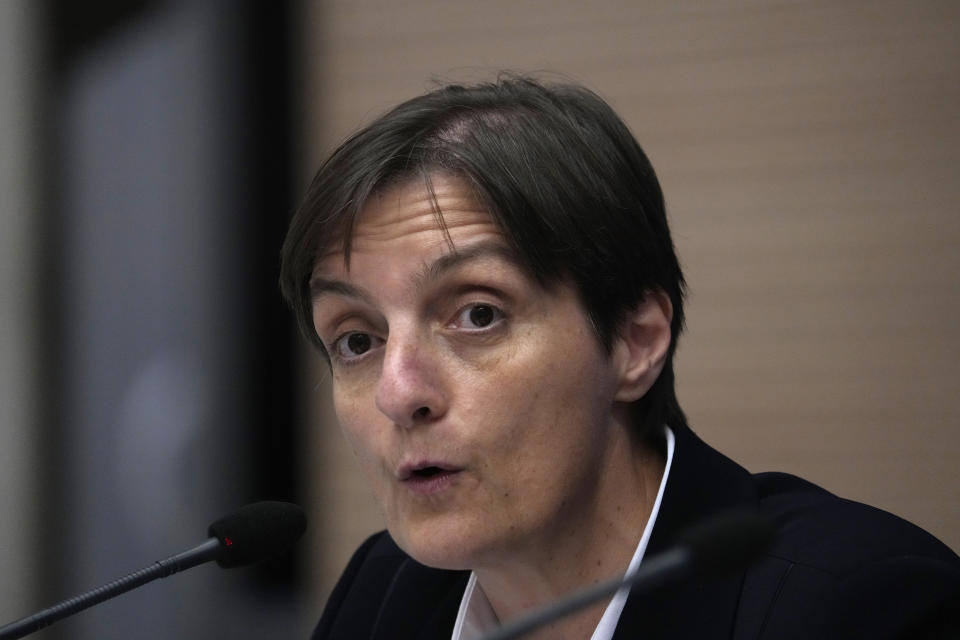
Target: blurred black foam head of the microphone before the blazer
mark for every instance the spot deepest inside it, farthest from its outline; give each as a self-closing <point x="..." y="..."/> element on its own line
<point x="729" y="541"/>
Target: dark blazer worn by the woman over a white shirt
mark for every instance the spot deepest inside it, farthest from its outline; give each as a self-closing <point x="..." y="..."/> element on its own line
<point x="838" y="569"/>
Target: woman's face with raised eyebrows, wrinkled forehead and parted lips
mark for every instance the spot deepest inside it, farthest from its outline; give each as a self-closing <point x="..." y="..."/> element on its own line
<point x="477" y="402"/>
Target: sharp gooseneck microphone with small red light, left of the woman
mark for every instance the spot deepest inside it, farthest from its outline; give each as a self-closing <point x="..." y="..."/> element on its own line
<point x="256" y="532"/>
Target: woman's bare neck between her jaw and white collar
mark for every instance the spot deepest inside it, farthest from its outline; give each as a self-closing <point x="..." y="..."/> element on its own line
<point x="591" y="543"/>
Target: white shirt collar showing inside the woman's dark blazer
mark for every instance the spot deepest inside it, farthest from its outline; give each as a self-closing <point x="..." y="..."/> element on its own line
<point x="476" y="616"/>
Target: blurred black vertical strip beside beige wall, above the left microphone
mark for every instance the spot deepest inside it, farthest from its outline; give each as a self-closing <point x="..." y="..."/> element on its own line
<point x="266" y="61"/>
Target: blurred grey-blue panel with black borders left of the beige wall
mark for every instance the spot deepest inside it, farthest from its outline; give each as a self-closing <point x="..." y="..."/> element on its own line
<point x="168" y="353"/>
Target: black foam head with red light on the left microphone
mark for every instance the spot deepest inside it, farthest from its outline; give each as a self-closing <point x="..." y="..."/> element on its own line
<point x="257" y="531"/>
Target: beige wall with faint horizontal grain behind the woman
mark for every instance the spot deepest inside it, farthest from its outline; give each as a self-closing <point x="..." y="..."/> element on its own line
<point x="809" y="152"/>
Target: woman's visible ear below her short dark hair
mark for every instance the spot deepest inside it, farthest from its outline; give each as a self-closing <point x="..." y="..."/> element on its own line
<point x="640" y="347"/>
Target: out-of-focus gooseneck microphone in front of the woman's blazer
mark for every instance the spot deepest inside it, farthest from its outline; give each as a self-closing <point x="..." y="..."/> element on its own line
<point x="716" y="546"/>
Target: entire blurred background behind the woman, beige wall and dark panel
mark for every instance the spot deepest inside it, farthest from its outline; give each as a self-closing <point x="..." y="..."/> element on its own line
<point x="151" y="153"/>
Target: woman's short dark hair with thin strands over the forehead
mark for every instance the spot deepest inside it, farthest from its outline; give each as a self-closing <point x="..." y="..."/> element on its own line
<point x="561" y="174"/>
